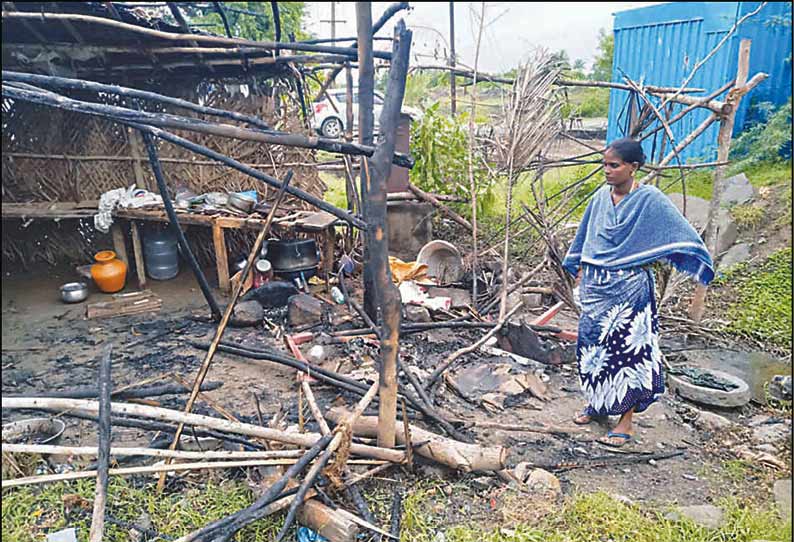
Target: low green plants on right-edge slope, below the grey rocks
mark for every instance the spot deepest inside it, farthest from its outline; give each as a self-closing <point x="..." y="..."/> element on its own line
<point x="763" y="301"/>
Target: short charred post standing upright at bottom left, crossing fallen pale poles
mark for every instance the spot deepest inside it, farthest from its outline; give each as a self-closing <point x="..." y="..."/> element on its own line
<point x="103" y="453"/>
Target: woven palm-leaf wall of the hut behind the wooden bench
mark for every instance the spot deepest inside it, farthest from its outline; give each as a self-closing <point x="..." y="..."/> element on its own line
<point x="54" y="155"/>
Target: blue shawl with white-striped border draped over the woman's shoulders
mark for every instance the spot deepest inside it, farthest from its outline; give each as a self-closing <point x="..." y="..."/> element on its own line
<point x="643" y="227"/>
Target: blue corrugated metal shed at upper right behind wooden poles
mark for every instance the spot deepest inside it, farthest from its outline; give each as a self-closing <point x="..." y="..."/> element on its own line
<point x="661" y="44"/>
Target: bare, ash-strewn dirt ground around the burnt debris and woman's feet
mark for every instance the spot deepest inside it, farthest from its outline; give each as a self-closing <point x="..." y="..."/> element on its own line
<point x="48" y="345"/>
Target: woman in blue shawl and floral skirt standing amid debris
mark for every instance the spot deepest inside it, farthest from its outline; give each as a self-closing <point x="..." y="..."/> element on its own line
<point x="626" y="227"/>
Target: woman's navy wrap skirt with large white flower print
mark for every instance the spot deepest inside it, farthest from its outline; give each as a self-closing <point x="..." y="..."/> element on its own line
<point x="620" y="364"/>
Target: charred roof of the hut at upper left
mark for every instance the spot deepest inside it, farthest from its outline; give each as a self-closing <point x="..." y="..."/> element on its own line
<point x="110" y="41"/>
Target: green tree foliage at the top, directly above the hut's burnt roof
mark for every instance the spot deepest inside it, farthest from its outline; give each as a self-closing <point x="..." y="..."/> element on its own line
<point x="250" y="20"/>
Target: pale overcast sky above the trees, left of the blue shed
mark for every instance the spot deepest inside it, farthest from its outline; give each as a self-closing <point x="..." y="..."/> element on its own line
<point x="513" y="29"/>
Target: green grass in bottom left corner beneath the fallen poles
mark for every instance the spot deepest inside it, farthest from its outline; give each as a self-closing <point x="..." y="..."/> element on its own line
<point x="30" y="512"/>
